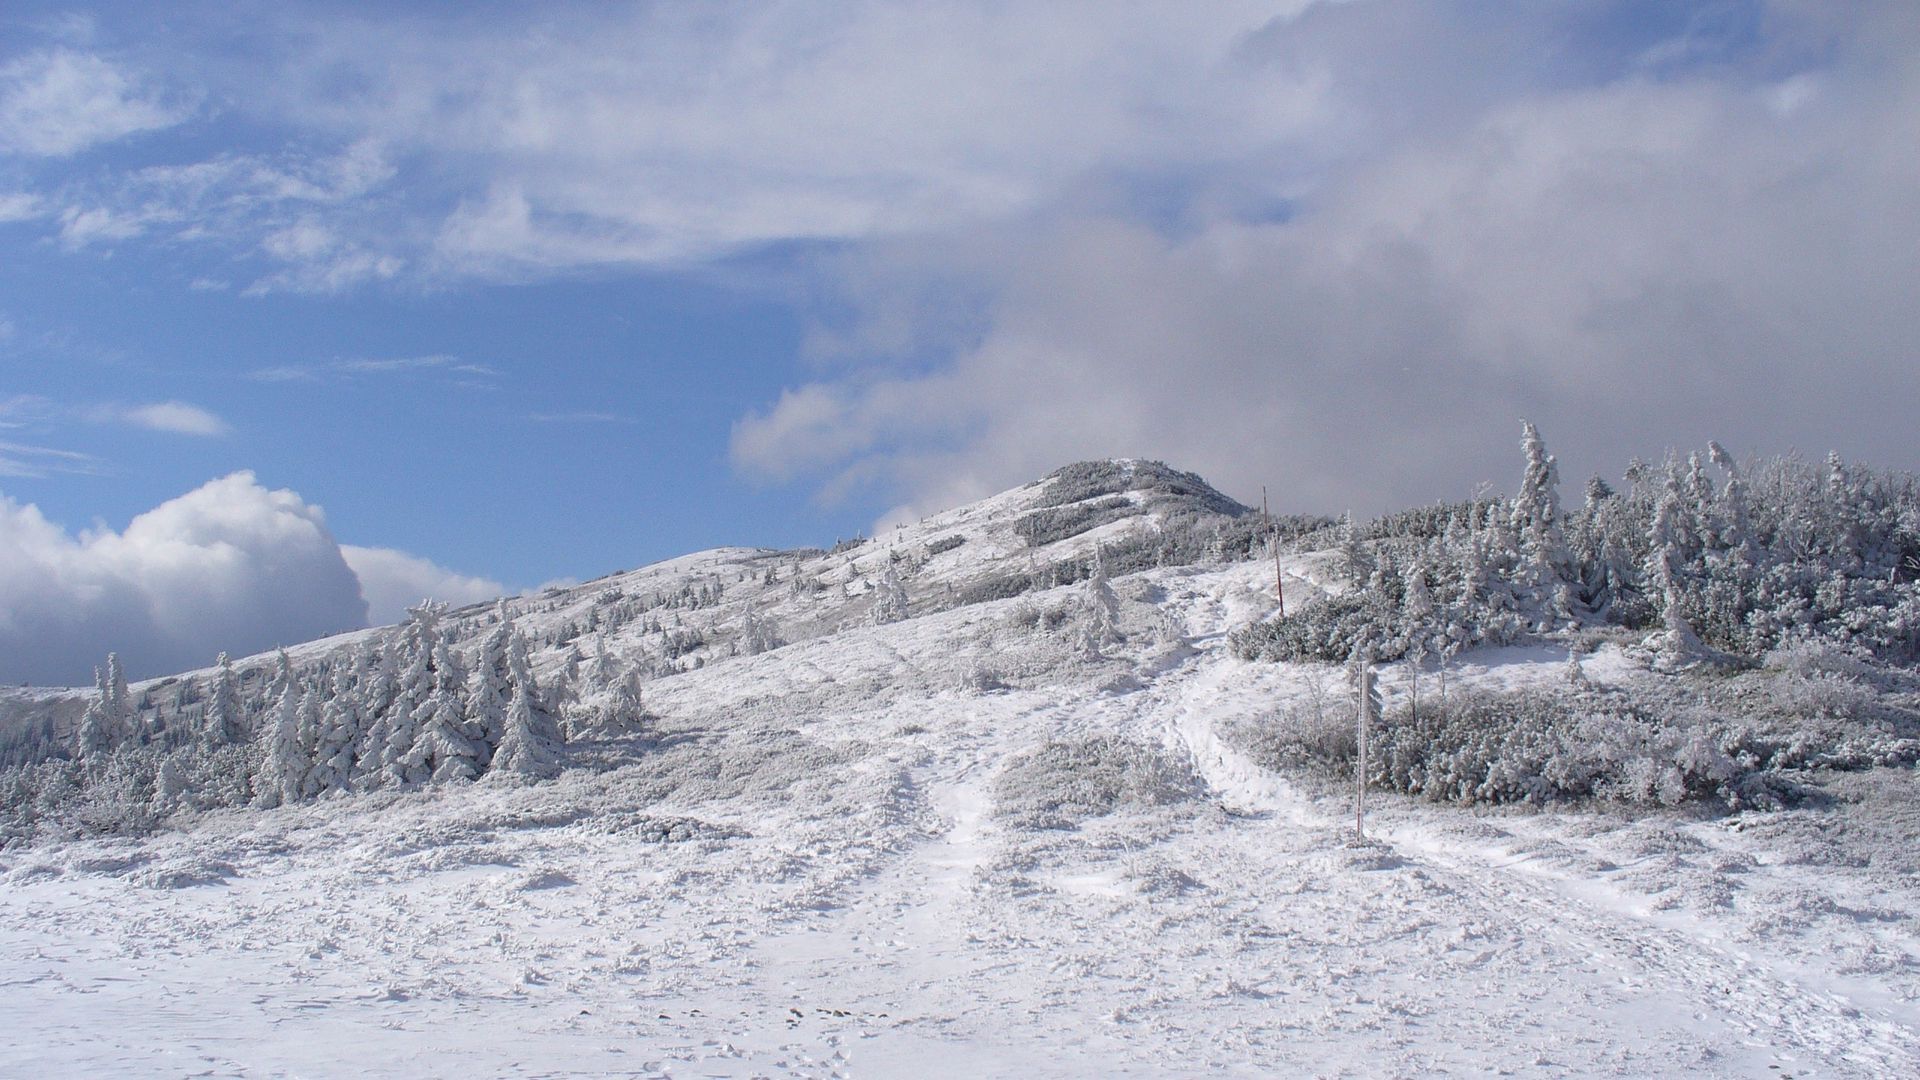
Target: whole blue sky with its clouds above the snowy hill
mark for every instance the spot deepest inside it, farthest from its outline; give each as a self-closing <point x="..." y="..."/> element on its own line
<point x="540" y="295"/>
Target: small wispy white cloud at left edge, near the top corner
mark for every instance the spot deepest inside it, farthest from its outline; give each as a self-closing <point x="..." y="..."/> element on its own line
<point x="60" y="103"/>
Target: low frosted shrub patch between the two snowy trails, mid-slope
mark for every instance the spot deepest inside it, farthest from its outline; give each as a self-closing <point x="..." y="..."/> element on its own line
<point x="1063" y="783"/>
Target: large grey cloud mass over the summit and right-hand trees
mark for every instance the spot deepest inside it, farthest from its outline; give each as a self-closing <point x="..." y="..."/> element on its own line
<point x="1700" y="235"/>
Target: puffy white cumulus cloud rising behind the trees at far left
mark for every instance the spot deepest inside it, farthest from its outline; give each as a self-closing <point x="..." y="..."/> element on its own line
<point x="228" y="568"/>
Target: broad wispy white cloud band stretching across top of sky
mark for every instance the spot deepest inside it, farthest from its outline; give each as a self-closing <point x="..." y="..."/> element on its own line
<point x="539" y="143"/>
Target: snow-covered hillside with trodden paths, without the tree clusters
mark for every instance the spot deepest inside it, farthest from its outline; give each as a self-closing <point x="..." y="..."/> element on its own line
<point x="1019" y="831"/>
